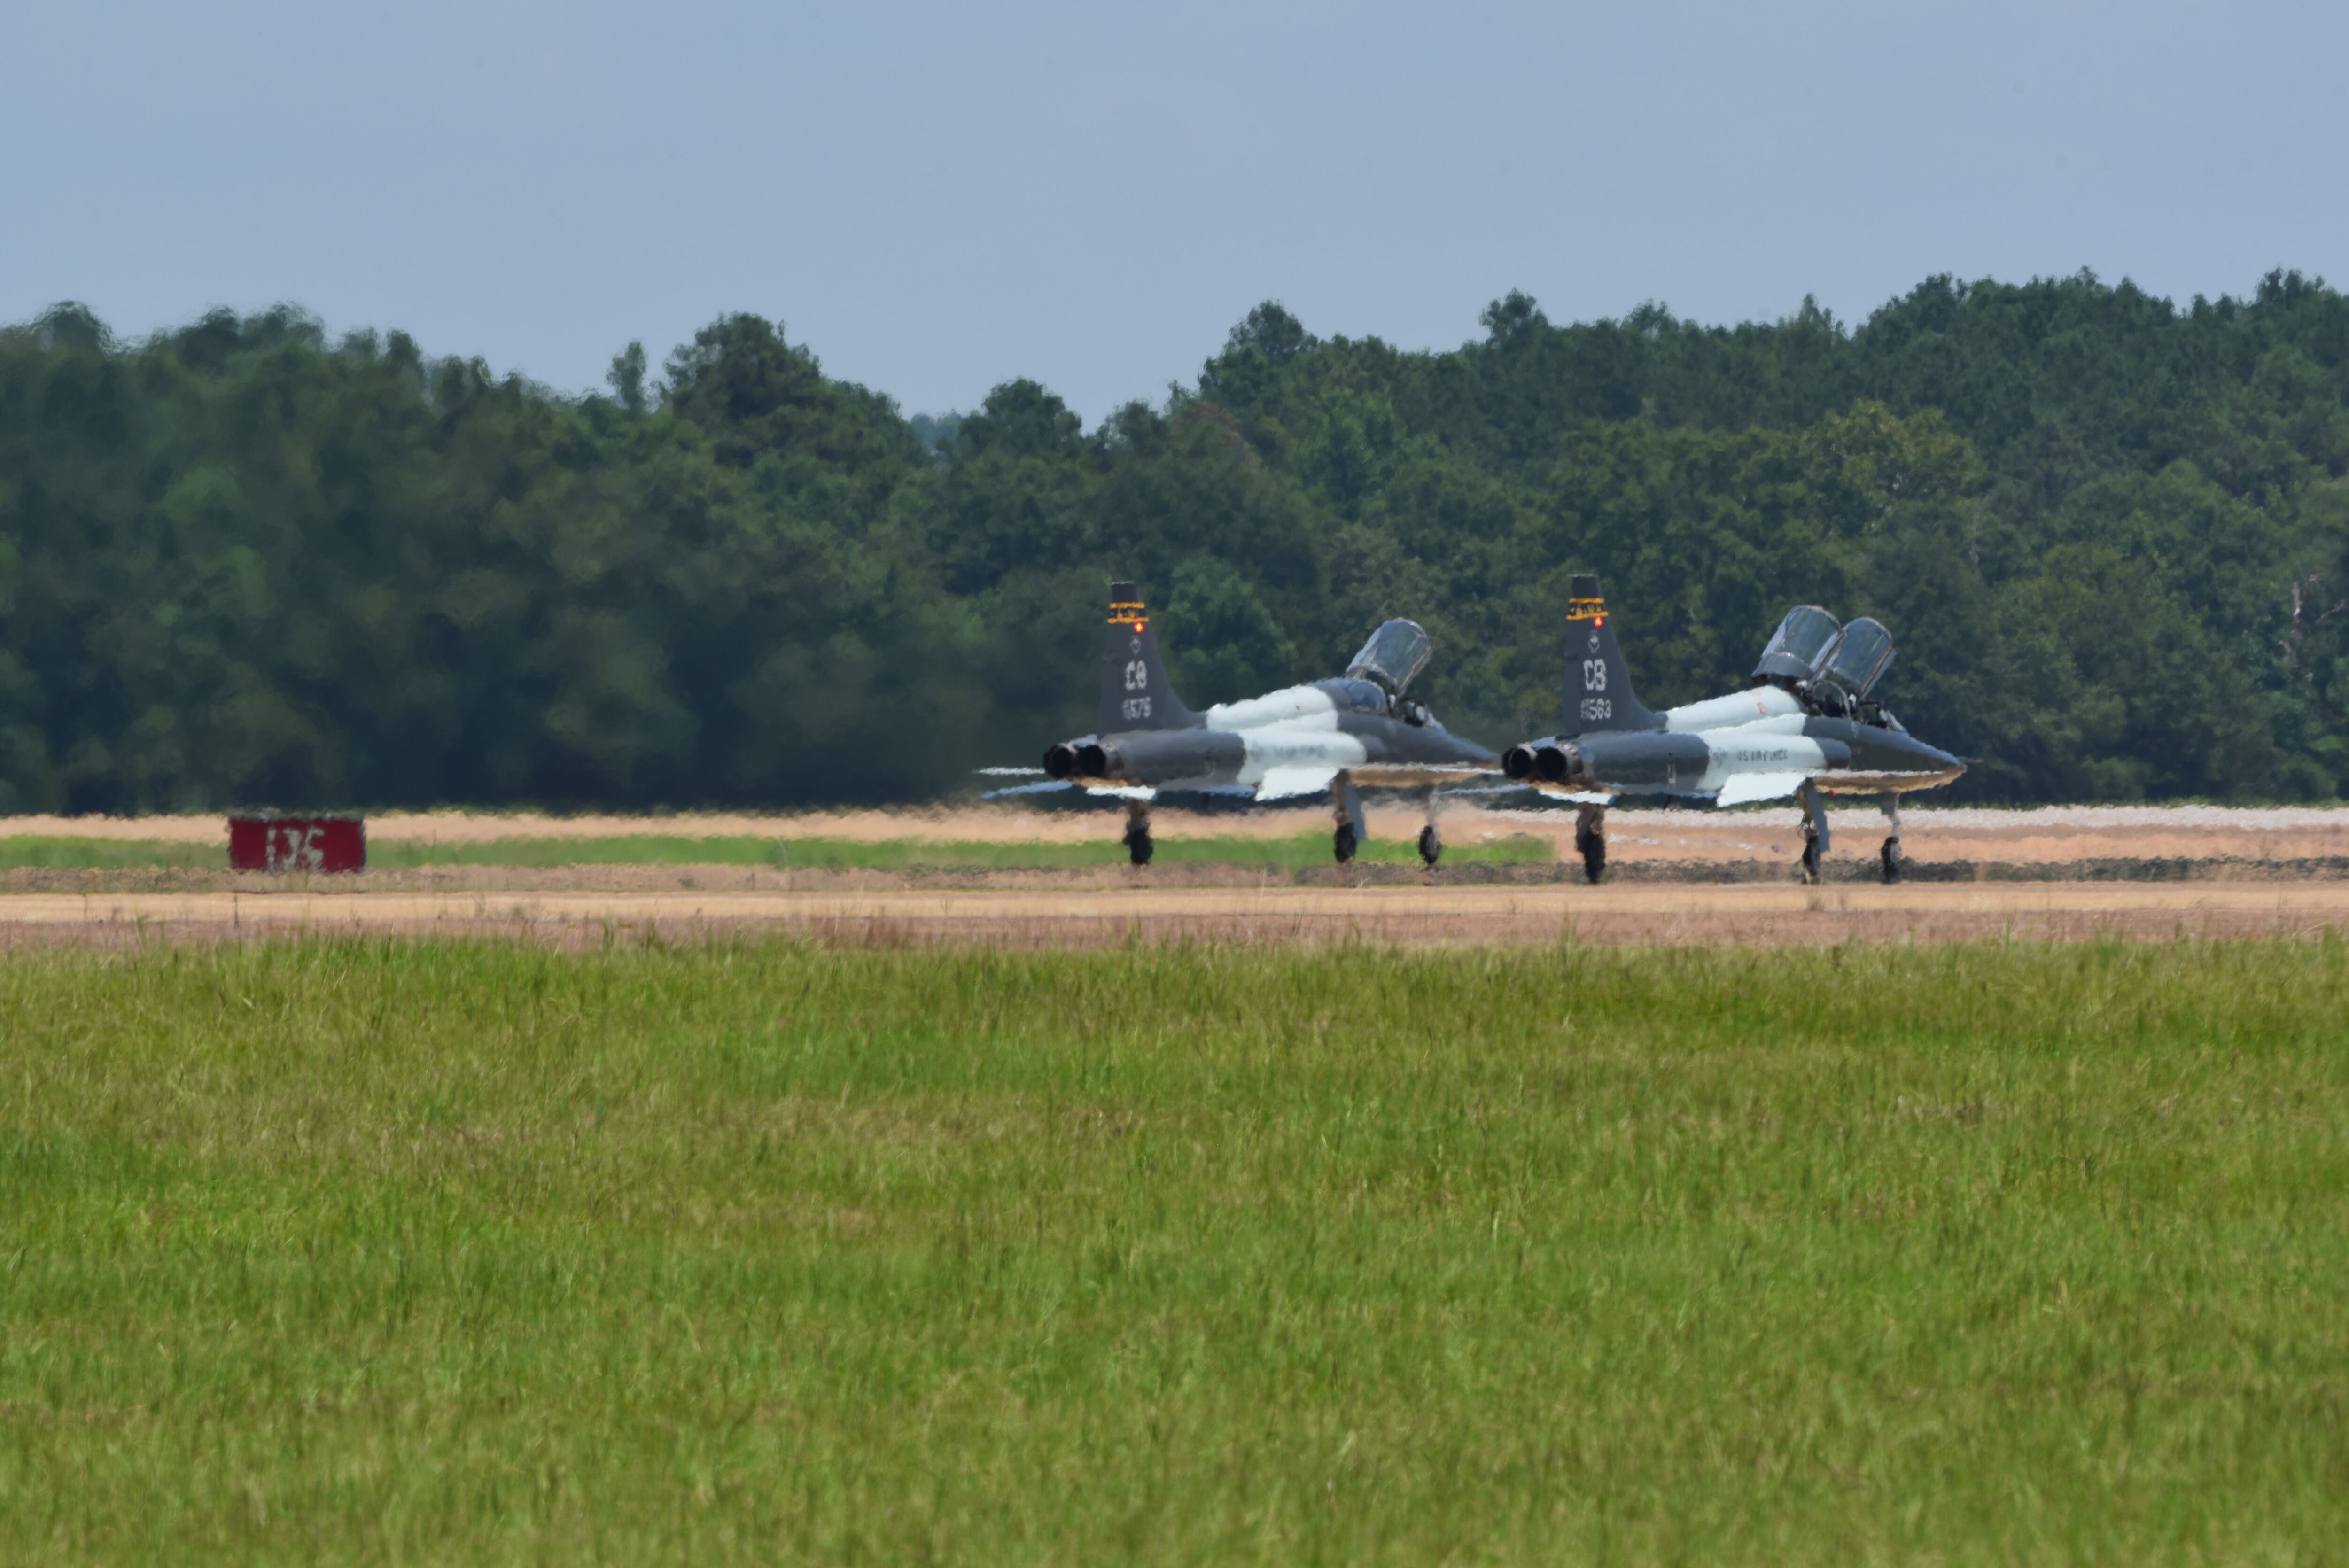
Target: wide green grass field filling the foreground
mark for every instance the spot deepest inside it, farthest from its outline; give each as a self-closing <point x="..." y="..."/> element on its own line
<point x="412" y="1252"/>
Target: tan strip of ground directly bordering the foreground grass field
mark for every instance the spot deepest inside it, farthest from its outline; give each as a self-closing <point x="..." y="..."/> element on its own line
<point x="1420" y="917"/>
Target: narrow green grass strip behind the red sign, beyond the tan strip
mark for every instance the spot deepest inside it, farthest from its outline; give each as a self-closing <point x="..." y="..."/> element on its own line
<point x="786" y="853"/>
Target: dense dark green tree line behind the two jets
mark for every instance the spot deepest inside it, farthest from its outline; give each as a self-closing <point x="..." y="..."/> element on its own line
<point x="245" y="565"/>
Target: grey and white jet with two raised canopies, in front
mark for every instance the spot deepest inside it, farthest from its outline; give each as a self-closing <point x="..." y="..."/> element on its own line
<point x="1803" y="729"/>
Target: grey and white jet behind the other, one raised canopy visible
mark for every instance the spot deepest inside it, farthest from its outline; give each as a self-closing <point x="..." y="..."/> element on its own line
<point x="1345" y="736"/>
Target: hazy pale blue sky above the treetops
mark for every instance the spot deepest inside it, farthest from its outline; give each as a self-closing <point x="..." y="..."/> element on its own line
<point x="938" y="198"/>
